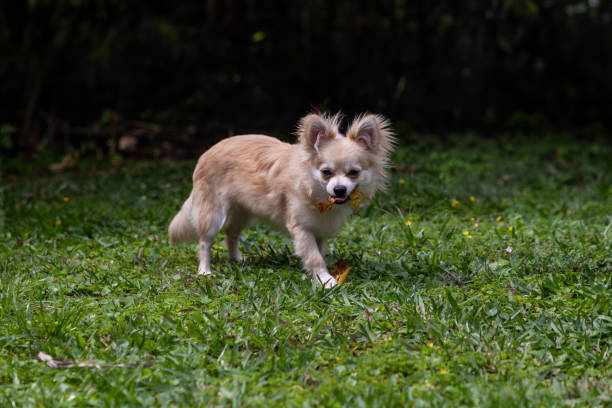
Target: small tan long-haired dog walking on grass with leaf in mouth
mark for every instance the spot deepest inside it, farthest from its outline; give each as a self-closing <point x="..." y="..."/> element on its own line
<point x="254" y="177"/>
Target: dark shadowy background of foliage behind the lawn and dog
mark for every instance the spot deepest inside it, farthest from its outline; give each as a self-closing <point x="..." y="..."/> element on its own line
<point x="83" y="74"/>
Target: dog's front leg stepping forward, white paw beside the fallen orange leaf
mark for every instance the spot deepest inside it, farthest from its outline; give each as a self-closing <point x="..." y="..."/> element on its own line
<point x="307" y="249"/>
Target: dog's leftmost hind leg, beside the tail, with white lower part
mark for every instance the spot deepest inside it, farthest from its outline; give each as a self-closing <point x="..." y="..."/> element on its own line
<point x="211" y="218"/>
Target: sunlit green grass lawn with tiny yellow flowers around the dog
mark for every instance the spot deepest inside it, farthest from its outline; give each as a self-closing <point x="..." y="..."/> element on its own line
<point x="441" y="312"/>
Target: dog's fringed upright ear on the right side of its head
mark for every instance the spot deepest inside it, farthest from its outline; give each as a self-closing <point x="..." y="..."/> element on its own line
<point x="372" y="132"/>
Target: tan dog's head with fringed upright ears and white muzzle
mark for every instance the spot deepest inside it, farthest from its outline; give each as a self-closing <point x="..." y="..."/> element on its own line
<point x="341" y="163"/>
